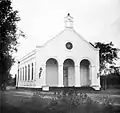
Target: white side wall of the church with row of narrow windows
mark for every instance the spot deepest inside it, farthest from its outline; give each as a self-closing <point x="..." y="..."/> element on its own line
<point x="26" y="76"/>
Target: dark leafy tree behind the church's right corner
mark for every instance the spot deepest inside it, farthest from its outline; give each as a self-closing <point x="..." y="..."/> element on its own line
<point x="108" y="56"/>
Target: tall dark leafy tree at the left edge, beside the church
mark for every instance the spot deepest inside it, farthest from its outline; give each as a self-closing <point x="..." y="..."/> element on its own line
<point x="9" y="35"/>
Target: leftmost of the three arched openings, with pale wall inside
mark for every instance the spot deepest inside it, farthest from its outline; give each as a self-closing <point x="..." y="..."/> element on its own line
<point x="52" y="72"/>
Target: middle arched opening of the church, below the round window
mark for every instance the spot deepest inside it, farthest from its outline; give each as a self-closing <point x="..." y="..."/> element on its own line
<point x="68" y="73"/>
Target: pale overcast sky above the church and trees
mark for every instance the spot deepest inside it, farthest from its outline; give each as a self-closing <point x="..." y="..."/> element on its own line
<point x="41" y="20"/>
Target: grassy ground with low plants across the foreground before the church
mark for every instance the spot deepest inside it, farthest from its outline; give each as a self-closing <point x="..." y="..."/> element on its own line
<point x="27" y="102"/>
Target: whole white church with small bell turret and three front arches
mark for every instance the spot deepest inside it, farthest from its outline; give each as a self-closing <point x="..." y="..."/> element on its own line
<point x="67" y="60"/>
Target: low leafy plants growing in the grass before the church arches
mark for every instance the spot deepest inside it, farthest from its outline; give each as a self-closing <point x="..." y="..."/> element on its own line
<point x="78" y="102"/>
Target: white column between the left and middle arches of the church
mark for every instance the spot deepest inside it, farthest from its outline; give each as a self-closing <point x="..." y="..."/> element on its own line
<point x="60" y="74"/>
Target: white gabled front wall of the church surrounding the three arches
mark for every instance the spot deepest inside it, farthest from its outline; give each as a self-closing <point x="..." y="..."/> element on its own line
<point x="55" y="48"/>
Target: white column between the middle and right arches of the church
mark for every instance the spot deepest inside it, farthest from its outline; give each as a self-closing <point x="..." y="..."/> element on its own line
<point x="77" y="76"/>
